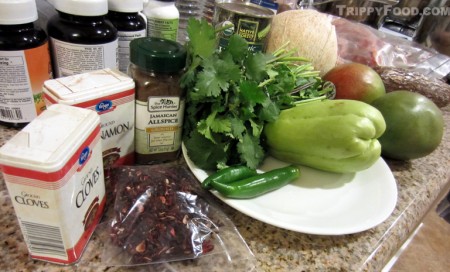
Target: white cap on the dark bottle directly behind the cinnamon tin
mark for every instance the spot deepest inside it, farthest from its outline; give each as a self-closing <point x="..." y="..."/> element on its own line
<point x="82" y="7"/>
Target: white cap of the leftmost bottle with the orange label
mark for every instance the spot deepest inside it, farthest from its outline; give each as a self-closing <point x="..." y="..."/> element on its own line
<point x="16" y="12"/>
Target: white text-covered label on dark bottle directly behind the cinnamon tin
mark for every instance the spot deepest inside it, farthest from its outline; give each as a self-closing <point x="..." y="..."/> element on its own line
<point x="71" y="59"/>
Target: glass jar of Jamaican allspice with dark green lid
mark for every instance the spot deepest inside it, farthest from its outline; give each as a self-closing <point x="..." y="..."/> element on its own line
<point x="156" y="67"/>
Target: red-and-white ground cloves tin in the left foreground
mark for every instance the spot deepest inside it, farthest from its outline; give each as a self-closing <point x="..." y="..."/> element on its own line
<point x="53" y="171"/>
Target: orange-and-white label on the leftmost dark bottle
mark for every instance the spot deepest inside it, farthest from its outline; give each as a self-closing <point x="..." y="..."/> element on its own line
<point x="22" y="74"/>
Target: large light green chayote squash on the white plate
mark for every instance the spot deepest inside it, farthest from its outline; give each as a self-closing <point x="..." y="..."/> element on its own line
<point x="332" y="135"/>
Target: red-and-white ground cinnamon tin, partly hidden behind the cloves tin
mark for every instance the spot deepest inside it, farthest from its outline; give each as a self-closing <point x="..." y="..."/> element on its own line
<point x="111" y="94"/>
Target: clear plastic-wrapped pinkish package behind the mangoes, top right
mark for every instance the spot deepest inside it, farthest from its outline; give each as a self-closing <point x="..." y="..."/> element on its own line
<point x="358" y="42"/>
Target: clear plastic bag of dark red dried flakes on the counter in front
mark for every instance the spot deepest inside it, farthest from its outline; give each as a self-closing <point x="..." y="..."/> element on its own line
<point x="162" y="220"/>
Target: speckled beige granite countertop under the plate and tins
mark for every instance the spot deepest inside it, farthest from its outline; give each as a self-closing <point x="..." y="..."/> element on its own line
<point x="419" y="184"/>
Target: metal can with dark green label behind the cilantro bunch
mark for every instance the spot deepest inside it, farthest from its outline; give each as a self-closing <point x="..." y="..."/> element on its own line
<point x="250" y="21"/>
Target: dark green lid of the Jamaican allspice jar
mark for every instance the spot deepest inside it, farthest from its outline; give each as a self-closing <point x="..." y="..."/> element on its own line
<point x="157" y="55"/>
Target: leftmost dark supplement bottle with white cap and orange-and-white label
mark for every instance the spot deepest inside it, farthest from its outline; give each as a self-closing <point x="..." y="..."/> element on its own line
<point x="24" y="63"/>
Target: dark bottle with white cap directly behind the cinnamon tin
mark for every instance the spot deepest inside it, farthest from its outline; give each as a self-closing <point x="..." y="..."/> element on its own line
<point x="82" y="39"/>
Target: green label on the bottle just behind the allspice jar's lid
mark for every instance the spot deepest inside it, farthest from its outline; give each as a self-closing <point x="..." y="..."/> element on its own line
<point x="163" y="28"/>
